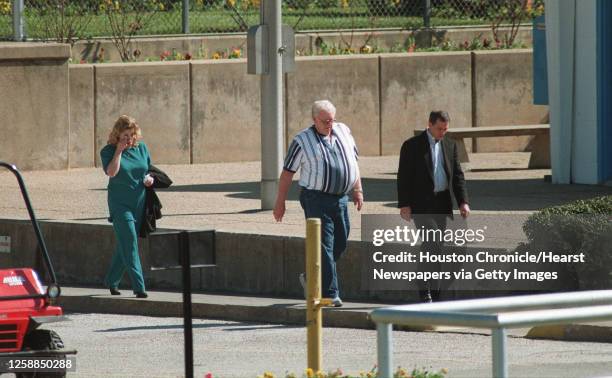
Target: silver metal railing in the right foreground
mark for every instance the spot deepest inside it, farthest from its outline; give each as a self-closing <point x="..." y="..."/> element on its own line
<point x="497" y="314"/>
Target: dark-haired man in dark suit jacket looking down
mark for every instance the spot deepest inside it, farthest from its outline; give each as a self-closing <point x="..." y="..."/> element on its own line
<point x="429" y="173"/>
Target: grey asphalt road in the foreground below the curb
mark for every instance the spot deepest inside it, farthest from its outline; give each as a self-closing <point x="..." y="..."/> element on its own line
<point x="138" y="346"/>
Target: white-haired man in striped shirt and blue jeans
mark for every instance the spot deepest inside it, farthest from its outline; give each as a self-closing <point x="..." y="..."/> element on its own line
<point x="326" y="155"/>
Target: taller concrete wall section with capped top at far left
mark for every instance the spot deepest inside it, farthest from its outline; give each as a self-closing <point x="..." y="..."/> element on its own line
<point x="35" y="107"/>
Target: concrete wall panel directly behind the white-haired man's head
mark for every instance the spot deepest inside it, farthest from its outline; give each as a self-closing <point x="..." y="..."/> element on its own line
<point x="350" y="82"/>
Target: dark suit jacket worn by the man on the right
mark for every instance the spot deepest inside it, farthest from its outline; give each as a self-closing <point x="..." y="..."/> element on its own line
<point x="415" y="183"/>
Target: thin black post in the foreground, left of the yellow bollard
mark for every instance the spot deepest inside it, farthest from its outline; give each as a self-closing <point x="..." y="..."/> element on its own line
<point x="187" y="316"/>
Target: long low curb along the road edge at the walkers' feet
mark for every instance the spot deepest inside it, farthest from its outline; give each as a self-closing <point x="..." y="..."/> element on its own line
<point x="293" y="313"/>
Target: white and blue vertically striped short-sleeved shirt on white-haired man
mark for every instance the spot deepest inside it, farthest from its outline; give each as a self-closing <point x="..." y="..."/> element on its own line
<point x="330" y="167"/>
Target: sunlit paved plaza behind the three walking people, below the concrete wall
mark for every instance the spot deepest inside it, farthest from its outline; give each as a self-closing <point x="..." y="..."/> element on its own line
<point x="226" y="196"/>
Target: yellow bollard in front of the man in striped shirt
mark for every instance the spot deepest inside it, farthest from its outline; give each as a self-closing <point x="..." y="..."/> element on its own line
<point x="314" y="302"/>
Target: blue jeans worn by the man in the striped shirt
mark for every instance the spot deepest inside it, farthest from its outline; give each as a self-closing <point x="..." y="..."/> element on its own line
<point x="335" y="226"/>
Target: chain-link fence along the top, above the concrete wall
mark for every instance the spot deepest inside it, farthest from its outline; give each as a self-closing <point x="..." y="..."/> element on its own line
<point x="67" y="20"/>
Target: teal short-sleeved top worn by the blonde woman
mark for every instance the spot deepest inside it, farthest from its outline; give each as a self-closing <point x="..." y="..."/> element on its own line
<point x="126" y="191"/>
